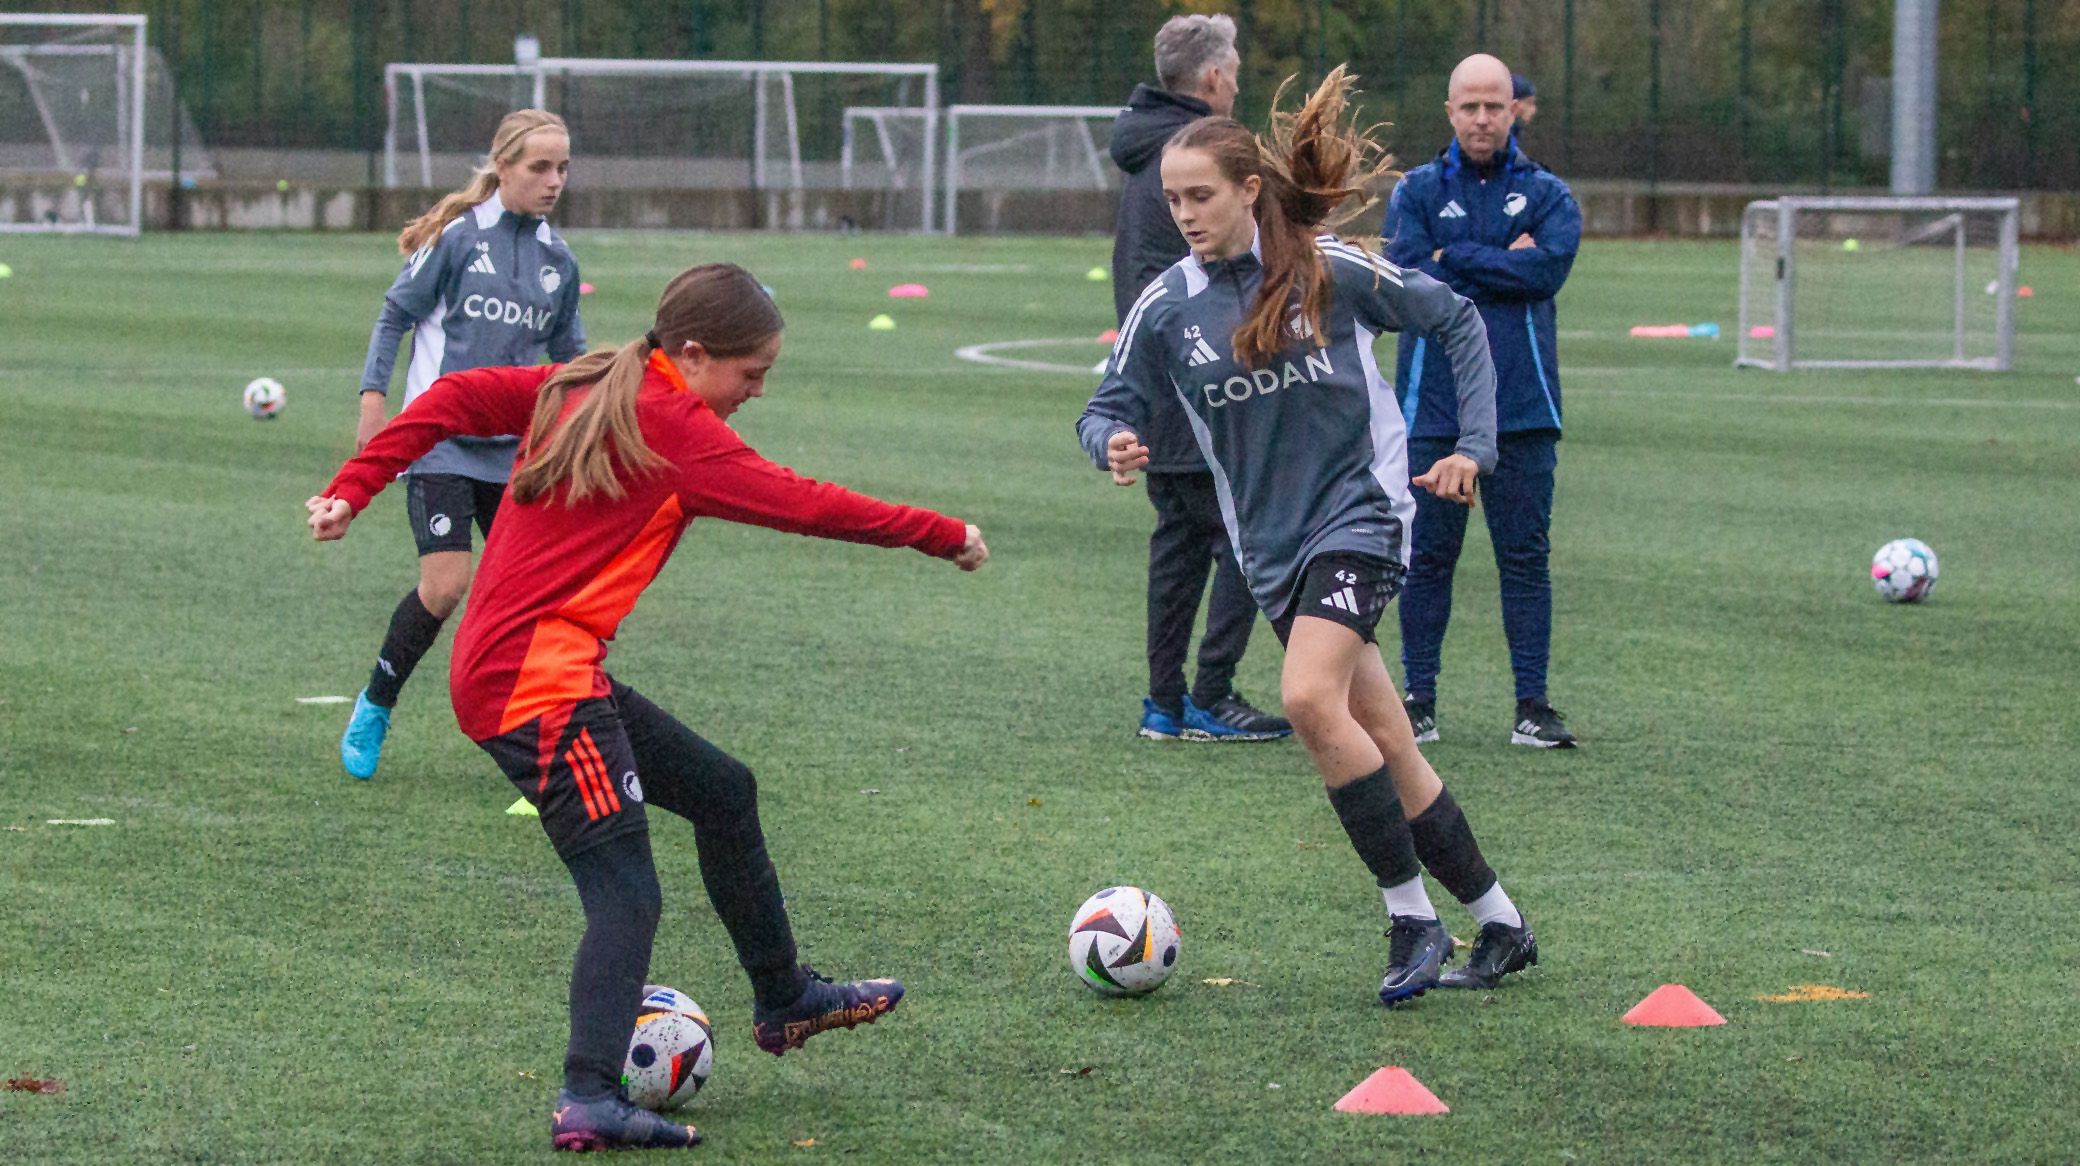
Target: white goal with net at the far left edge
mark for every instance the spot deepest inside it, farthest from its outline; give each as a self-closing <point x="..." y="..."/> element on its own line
<point x="72" y="122"/>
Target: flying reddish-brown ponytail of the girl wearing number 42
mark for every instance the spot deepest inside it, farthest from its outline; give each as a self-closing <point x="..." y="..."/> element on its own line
<point x="1309" y="167"/>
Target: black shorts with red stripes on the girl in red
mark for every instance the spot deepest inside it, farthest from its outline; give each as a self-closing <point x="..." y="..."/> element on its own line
<point x="581" y="776"/>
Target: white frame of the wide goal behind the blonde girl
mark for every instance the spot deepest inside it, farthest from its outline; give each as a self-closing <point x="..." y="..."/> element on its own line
<point x="766" y="174"/>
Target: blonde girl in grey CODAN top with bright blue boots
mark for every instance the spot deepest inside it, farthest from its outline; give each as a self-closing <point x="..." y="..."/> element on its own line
<point x="486" y="284"/>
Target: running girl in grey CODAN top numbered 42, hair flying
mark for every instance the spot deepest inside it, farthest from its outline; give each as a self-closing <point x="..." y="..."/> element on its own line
<point x="1266" y="336"/>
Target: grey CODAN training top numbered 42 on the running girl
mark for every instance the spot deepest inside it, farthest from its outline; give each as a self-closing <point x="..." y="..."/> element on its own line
<point x="1309" y="454"/>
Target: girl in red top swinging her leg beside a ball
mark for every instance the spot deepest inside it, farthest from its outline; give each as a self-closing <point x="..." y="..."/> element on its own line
<point x="623" y="450"/>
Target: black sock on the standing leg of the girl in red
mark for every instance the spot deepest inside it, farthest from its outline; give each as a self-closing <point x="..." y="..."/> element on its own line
<point x="619" y="889"/>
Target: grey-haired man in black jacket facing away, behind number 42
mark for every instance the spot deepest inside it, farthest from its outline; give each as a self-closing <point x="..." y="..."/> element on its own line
<point x="1197" y="68"/>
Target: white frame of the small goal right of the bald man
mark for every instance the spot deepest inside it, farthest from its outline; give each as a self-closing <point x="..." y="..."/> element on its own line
<point x="1784" y="213"/>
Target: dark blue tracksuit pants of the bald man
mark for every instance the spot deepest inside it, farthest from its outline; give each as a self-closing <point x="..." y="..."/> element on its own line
<point x="1519" y="506"/>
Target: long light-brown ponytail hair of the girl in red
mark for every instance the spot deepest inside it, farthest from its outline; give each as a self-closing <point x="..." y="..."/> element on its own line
<point x="719" y="307"/>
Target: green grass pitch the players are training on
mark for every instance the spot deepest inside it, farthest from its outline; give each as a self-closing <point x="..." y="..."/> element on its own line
<point x="1784" y="778"/>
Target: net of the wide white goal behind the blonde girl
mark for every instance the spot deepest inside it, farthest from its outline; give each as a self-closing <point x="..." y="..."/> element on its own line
<point x="766" y="126"/>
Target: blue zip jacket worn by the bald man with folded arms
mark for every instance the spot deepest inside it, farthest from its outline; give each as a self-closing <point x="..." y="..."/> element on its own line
<point x="1474" y="215"/>
